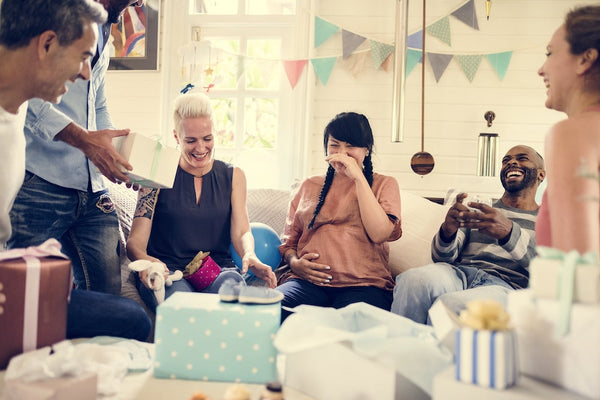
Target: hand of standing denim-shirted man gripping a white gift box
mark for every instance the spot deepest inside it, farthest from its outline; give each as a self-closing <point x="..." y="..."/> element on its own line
<point x="102" y="153"/>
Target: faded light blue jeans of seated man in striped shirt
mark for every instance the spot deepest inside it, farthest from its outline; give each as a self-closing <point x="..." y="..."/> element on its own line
<point x="418" y="288"/>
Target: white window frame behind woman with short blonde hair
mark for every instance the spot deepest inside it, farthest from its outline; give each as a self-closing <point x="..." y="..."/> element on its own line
<point x="289" y="160"/>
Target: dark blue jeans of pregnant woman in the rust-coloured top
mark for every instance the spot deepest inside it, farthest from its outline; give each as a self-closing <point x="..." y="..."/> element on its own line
<point x="299" y="291"/>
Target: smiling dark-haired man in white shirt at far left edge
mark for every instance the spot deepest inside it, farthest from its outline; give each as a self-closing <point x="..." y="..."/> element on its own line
<point x="39" y="53"/>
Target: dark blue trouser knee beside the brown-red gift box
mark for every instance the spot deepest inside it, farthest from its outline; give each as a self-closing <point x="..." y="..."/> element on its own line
<point x="100" y="314"/>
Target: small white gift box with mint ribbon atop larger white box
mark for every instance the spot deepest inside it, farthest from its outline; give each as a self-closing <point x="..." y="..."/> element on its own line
<point x="544" y="279"/>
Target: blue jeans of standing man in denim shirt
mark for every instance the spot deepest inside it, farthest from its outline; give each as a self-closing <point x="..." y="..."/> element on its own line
<point x="85" y="223"/>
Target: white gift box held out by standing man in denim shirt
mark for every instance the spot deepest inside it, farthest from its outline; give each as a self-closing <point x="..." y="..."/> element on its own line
<point x="154" y="165"/>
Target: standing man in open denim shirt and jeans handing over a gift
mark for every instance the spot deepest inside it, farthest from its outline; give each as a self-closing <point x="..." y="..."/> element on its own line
<point x="69" y="147"/>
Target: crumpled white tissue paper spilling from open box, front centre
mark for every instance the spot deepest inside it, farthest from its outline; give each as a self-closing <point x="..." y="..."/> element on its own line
<point x="390" y="340"/>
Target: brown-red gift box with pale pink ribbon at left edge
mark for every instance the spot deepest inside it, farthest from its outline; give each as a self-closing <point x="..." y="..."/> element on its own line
<point x="36" y="282"/>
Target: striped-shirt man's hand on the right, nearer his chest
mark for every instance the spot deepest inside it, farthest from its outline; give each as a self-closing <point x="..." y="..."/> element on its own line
<point x="488" y="221"/>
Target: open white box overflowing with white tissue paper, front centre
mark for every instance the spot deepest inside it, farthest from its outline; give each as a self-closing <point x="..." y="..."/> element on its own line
<point x="359" y="352"/>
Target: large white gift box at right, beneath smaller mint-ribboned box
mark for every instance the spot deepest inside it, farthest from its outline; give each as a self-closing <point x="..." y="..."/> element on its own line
<point x="571" y="360"/>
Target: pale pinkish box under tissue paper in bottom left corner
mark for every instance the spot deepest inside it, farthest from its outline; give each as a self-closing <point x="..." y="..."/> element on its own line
<point x="79" y="387"/>
